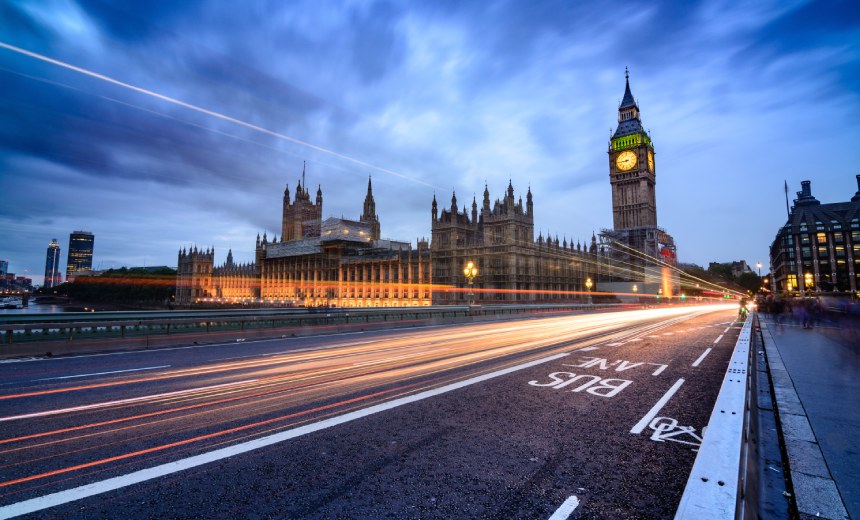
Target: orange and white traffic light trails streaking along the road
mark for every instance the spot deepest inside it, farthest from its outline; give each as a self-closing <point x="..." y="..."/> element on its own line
<point x="313" y="383"/>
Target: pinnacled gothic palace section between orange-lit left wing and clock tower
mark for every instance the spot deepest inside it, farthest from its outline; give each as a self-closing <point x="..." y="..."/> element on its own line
<point x="512" y="265"/>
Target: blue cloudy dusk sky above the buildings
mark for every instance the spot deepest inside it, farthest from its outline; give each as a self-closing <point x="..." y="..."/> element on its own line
<point x="159" y="125"/>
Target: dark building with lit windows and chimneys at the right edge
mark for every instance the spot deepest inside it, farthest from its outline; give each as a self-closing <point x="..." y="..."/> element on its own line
<point x="818" y="248"/>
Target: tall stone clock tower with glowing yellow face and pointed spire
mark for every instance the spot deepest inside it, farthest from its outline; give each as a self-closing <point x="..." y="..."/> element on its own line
<point x="631" y="168"/>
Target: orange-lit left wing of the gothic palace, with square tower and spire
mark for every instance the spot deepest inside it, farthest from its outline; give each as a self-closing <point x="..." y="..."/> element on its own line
<point x="316" y="262"/>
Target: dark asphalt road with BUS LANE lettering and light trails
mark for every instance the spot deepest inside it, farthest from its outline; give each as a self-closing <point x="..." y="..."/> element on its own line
<point x="581" y="416"/>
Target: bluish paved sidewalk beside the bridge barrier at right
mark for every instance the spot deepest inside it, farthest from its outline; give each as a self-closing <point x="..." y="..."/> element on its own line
<point x="816" y="380"/>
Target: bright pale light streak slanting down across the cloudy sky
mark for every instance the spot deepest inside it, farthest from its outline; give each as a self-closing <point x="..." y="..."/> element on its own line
<point x="207" y="112"/>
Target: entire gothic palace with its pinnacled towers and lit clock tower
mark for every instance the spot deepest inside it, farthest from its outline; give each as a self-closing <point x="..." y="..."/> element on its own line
<point x="345" y="263"/>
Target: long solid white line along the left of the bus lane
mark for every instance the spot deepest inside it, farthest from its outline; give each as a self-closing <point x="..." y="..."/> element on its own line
<point x="70" y="495"/>
